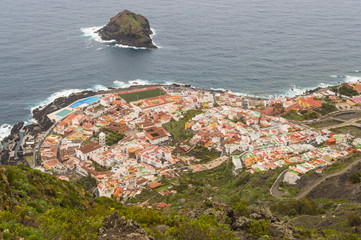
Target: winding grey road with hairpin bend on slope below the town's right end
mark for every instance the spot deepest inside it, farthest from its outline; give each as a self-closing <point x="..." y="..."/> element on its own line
<point x="277" y="194"/>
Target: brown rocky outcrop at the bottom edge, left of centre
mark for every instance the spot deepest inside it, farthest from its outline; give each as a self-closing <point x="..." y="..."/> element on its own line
<point x="116" y="227"/>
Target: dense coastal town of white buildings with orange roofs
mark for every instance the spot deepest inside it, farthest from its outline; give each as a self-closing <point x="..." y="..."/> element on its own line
<point x="129" y="140"/>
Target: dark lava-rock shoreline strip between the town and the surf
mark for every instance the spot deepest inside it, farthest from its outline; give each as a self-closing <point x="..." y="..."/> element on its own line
<point x="43" y="123"/>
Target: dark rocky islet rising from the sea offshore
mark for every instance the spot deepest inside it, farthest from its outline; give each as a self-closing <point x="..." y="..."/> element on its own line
<point x="130" y="29"/>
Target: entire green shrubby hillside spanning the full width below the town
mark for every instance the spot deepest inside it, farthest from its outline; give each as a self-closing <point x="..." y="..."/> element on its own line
<point x="34" y="205"/>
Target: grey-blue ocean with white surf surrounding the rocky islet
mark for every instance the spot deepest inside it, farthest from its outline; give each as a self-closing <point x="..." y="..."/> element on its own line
<point x="255" y="47"/>
